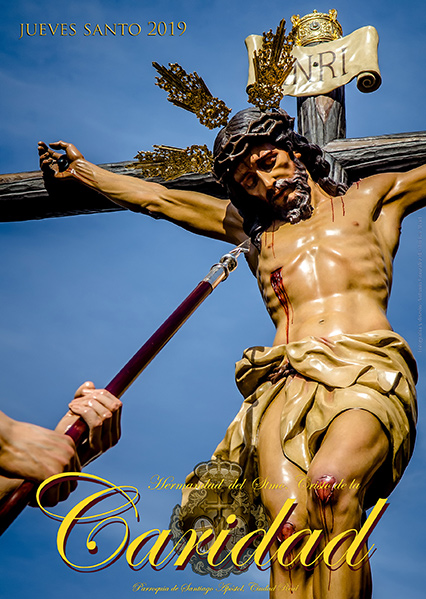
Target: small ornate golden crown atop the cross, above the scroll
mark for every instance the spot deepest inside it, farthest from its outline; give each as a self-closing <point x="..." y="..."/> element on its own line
<point x="316" y="27"/>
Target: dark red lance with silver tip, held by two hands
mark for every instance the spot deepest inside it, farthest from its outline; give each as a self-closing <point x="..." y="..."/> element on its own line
<point x="12" y="505"/>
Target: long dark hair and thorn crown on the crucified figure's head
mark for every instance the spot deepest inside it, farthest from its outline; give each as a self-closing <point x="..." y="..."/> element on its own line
<point x="252" y="127"/>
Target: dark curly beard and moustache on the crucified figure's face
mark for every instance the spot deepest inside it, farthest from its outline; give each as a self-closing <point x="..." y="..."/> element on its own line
<point x="298" y="207"/>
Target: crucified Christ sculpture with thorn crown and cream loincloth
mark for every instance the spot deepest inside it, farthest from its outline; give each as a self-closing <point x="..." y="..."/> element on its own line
<point x="330" y="409"/>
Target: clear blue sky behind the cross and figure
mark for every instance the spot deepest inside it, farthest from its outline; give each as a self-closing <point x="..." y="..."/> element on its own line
<point x="81" y="294"/>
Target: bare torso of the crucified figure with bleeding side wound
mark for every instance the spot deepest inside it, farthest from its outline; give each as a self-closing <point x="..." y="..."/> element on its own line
<point x="332" y="273"/>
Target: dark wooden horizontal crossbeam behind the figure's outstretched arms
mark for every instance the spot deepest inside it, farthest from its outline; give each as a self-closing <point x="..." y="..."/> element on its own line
<point x="26" y="196"/>
